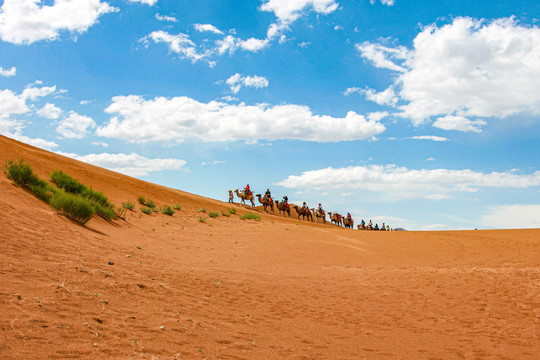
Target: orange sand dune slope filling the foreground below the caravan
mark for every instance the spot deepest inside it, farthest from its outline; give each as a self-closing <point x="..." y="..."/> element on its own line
<point x="234" y="289"/>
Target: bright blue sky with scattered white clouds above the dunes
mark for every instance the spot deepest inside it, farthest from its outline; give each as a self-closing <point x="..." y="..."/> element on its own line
<point x="420" y="114"/>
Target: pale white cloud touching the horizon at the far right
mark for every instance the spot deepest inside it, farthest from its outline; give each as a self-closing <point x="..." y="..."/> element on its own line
<point x="517" y="216"/>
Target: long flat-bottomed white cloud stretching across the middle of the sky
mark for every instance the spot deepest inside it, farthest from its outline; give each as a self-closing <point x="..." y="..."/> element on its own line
<point x="182" y="118"/>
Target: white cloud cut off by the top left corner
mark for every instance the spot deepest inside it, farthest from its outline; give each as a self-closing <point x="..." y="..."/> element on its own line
<point x="27" y="21"/>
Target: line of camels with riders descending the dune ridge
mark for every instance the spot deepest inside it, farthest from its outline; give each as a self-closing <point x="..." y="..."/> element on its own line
<point x="317" y="215"/>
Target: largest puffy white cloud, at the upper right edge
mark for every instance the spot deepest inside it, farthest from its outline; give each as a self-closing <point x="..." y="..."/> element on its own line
<point x="468" y="68"/>
